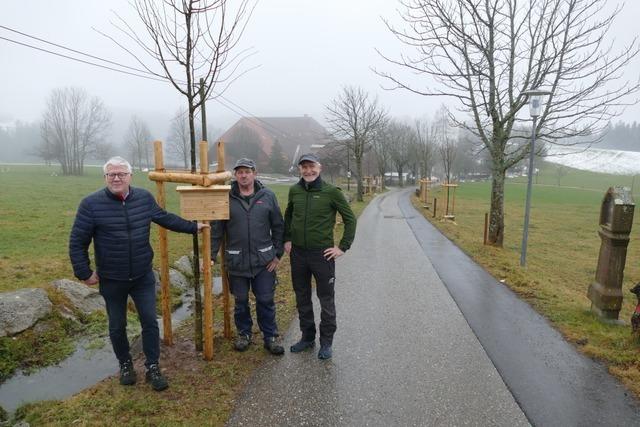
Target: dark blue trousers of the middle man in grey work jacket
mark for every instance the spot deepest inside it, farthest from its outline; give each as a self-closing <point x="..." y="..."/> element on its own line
<point x="262" y="286"/>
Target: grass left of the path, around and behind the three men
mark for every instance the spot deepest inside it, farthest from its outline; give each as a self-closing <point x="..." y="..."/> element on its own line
<point x="33" y="253"/>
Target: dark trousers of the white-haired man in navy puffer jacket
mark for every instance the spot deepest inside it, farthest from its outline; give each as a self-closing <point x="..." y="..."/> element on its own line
<point x="143" y="294"/>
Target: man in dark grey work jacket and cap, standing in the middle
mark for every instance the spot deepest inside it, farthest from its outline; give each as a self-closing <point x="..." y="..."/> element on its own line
<point x="253" y="250"/>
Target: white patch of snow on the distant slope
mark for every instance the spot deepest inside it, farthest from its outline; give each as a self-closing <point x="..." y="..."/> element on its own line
<point x="614" y="162"/>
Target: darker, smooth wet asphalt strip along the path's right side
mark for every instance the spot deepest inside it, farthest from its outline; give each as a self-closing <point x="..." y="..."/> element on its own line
<point x="553" y="383"/>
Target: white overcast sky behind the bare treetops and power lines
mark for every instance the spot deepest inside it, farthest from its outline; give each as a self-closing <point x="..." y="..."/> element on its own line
<point x="306" y="51"/>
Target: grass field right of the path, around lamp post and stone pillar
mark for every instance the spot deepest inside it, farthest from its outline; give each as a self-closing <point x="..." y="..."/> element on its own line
<point x="562" y="257"/>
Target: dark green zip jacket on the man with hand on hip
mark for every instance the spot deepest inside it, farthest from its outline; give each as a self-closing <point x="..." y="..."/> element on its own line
<point x="311" y="216"/>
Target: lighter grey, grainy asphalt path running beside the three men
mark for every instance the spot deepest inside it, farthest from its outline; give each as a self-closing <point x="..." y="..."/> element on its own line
<point x="403" y="352"/>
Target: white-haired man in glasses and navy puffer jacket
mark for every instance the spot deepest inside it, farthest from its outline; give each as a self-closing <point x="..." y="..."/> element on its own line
<point x="118" y="218"/>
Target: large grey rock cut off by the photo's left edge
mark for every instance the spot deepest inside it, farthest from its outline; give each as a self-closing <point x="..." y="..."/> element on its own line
<point x="21" y="309"/>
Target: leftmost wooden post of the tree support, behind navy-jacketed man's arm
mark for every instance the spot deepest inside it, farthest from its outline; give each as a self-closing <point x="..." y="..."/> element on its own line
<point x="167" y="331"/>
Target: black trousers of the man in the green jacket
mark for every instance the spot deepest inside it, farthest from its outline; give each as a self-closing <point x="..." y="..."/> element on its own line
<point x="304" y="264"/>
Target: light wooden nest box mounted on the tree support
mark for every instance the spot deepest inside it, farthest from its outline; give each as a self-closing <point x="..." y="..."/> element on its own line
<point x="204" y="203"/>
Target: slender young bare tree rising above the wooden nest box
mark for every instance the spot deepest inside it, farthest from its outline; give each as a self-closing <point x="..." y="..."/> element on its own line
<point x="192" y="41"/>
